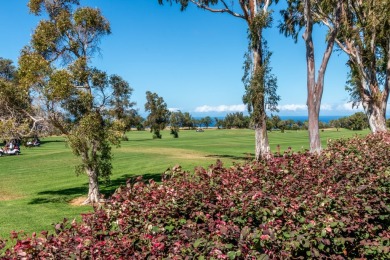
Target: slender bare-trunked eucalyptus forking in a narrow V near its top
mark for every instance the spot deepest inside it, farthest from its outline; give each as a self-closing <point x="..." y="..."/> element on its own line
<point x="305" y="14"/>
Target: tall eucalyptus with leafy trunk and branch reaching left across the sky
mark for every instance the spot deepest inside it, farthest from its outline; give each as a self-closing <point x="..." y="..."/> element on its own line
<point x="260" y="84"/>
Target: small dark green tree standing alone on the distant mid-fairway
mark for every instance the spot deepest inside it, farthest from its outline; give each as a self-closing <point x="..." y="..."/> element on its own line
<point x="158" y="117"/>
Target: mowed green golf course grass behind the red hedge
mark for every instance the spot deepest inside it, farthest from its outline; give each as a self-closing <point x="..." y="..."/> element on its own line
<point x="36" y="188"/>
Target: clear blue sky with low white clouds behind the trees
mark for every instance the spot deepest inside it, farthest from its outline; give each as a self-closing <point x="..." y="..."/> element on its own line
<point x="192" y="59"/>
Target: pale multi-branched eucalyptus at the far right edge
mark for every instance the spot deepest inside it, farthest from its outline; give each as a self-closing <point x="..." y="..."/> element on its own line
<point x="365" y="37"/>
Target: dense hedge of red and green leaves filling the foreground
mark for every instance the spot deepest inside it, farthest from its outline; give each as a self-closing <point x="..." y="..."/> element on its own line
<point x="335" y="205"/>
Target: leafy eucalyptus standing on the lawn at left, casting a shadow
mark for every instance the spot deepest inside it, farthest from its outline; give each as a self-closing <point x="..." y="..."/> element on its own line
<point x="77" y="98"/>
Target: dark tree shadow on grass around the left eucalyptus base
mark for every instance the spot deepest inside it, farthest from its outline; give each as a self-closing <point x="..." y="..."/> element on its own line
<point x="66" y="195"/>
